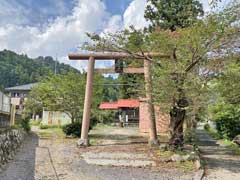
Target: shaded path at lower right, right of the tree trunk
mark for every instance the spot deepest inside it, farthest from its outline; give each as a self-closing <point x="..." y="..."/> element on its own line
<point x="222" y="164"/>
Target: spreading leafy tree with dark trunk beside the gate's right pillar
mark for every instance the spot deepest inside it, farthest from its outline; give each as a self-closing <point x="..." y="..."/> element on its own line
<point x="199" y="51"/>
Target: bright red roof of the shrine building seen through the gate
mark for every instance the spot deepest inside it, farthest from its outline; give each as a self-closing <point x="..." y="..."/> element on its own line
<point x="130" y="103"/>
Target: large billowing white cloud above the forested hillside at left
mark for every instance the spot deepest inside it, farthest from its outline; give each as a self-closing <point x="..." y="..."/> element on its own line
<point x="60" y="37"/>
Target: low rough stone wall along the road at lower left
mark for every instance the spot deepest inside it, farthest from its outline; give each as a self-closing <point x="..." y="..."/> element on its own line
<point x="10" y="140"/>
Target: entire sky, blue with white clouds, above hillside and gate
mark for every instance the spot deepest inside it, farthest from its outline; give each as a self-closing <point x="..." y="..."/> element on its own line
<point x="58" y="27"/>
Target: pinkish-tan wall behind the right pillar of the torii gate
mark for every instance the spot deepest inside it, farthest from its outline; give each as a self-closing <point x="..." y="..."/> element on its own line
<point x="162" y="119"/>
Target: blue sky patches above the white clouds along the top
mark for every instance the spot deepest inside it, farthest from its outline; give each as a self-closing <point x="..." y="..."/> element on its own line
<point x="40" y="12"/>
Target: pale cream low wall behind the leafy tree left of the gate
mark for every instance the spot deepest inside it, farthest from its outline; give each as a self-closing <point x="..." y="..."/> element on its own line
<point x="55" y="118"/>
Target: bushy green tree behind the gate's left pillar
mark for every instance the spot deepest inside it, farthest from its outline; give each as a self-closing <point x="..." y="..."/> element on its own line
<point x="63" y="93"/>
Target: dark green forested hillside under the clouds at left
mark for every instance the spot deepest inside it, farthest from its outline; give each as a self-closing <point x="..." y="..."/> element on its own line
<point x="20" y="69"/>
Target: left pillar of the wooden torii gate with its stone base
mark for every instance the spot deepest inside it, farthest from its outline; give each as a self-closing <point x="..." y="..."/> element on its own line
<point x="84" y="141"/>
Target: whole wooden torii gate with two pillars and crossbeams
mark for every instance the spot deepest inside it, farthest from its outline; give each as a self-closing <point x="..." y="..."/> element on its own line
<point x="91" y="57"/>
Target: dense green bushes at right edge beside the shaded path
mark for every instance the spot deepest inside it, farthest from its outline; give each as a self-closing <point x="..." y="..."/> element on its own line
<point x="226" y="111"/>
